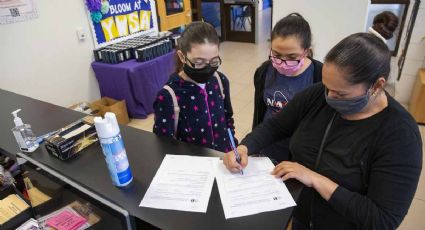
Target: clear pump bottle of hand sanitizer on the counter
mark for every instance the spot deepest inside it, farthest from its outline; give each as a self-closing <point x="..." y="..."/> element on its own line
<point x="23" y="134"/>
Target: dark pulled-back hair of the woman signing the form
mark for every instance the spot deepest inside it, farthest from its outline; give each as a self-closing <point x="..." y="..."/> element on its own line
<point x="362" y="56"/>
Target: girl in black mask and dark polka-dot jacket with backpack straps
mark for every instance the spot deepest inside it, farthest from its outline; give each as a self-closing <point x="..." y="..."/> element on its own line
<point x="194" y="106"/>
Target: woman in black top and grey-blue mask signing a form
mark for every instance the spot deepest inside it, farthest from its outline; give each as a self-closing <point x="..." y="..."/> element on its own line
<point x="356" y="149"/>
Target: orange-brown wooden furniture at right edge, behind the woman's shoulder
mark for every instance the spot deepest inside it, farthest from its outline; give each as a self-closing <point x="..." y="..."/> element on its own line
<point x="417" y="100"/>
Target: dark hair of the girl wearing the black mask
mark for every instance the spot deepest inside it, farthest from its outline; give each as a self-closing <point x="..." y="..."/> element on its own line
<point x="195" y="33"/>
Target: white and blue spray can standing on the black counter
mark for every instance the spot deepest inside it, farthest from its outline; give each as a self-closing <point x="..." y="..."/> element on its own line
<point x="113" y="148"/>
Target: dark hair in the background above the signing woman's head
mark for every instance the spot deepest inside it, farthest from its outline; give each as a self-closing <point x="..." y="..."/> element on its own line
<point x="385" y="24"/>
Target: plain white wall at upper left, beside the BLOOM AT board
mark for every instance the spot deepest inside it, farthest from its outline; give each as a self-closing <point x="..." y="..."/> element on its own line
<point x="43" y="58"/>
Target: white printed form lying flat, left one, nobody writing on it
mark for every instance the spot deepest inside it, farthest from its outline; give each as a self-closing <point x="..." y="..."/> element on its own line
<point x="182" y="183"/>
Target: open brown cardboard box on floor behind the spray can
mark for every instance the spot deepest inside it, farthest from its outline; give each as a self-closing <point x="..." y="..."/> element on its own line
<point x="106" y="104"/>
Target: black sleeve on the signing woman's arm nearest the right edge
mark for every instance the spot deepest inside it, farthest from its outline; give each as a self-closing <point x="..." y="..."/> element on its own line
<point x="394" y="173"/>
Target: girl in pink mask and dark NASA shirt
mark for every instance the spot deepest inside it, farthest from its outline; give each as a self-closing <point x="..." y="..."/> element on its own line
<point x="289" y="70"/>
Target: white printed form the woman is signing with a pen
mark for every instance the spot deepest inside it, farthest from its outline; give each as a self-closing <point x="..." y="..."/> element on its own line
<point x="253" y="192"/>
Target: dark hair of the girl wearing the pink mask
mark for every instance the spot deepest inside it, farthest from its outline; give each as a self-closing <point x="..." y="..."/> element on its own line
<point x="293" y="25"/>
